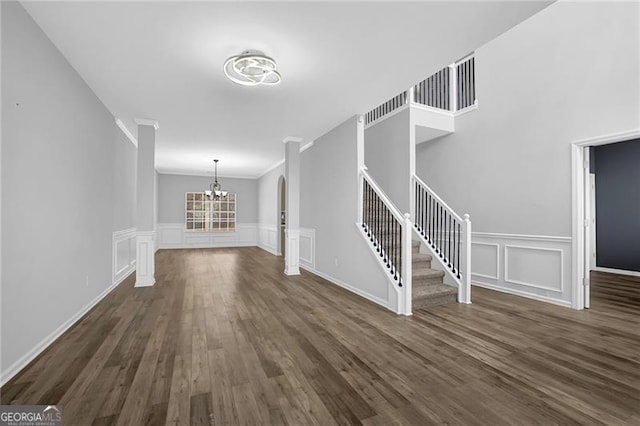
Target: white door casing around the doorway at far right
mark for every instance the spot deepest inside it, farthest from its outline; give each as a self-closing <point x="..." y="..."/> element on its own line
<point x="578" y="208"/>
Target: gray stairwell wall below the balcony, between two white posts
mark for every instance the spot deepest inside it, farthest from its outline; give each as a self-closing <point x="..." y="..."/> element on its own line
<point x="386" y="155"/>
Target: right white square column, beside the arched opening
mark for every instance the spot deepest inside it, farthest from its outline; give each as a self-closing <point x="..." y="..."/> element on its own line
<point x="292" y="227"/>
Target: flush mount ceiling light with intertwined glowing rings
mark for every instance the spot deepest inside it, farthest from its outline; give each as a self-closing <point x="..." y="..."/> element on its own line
<point x="252" y="68"/>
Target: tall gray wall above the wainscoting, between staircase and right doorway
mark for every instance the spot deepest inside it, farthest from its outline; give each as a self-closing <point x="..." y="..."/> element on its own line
<point x="552" y="80"/>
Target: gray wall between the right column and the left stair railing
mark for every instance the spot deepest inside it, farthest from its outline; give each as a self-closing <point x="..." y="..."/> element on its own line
<point x="329" y="197"/>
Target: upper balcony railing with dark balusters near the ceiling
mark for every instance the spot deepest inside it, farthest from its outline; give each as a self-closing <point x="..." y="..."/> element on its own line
<point x="451" y="89"/>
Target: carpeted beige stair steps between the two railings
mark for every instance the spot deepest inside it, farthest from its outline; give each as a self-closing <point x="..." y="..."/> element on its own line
<point x="428" y="288"/>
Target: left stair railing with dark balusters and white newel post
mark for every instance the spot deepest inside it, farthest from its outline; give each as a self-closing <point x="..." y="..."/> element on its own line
<point x="389" y="234"/>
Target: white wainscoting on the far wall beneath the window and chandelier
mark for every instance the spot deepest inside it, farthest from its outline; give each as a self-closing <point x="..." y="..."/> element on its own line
<point x="174" y="235"/>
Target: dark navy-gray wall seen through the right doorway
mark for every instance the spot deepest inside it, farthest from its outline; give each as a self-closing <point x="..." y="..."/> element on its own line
<point x="617" y="169"/>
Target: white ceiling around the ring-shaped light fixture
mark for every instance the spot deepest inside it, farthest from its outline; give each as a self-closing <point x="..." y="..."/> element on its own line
<point x="163" y="60"/>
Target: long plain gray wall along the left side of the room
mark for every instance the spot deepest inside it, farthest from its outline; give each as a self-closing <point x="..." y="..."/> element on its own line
<point x="57" y="189"/>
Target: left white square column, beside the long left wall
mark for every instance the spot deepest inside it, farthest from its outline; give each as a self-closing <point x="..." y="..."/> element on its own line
<point x="145" y="195"/>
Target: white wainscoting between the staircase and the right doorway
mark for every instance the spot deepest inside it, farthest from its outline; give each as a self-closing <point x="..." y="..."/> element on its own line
<point x="534" y="266"/>
